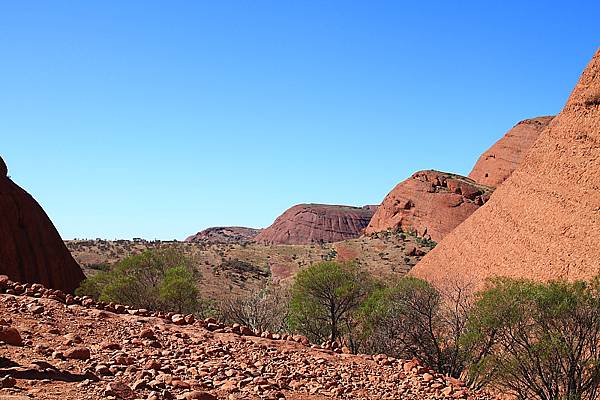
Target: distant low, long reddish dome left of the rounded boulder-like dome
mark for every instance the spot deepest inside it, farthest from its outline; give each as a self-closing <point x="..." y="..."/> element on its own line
<point x="317" y="223"/>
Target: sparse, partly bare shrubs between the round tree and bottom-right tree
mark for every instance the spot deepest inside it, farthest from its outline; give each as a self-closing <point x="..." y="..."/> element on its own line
<point x="411" y="318"/>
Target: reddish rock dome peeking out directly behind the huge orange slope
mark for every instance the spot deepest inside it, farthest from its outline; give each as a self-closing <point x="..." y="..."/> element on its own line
<point x="500" y="160"/>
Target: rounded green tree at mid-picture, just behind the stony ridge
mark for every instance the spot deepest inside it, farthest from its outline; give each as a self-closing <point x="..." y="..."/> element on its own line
<point x="325" y="297"/>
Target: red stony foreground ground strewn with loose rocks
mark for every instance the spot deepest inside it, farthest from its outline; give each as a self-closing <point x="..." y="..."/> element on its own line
<point x="54" y="346"/>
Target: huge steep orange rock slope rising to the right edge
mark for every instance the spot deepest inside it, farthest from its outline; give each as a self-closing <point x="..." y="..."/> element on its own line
<point x="543" y="222"/>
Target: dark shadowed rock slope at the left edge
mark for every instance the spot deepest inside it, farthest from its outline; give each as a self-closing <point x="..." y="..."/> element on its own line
<point x="31" y="249"/>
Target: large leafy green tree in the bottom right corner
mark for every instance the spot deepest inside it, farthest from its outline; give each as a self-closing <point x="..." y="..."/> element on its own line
<point x="537" y="340"/>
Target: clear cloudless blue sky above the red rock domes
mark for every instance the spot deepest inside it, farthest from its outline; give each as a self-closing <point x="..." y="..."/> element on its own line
<point x="159" y="118"/>
